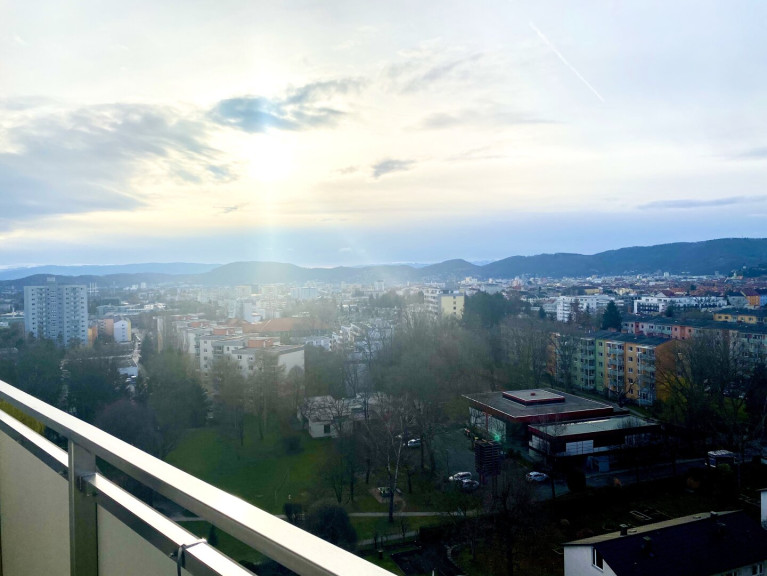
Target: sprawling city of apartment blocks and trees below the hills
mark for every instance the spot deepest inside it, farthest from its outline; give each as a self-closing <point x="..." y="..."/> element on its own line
<point x="462" y="426"/>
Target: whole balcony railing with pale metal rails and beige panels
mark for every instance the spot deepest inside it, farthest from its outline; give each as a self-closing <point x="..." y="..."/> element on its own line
<point x="60" y="516"/>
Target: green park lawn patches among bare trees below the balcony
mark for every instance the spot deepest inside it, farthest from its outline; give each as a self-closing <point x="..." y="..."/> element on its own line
<point x="264" y="474"/>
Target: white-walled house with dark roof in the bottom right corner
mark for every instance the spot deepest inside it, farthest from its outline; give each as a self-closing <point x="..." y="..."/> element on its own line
<point x="715" y="543"/>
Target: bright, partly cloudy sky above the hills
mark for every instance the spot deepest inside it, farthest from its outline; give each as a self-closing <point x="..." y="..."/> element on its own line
<point x="347" y="132"/>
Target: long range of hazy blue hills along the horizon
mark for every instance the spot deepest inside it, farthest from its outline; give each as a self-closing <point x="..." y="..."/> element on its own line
<point x="696" y="258"/>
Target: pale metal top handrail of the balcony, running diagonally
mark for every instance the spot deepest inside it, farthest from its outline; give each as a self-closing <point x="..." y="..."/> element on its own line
<point x="288" y="545"/>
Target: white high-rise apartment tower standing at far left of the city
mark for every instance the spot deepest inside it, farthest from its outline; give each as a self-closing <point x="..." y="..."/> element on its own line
<point x="58" y="312"/>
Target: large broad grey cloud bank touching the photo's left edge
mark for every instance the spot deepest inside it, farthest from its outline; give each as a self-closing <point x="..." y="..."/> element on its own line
<point x="84" y="159"/>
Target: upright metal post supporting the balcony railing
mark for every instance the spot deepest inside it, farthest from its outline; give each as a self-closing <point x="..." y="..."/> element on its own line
<point x="83" y="528"/>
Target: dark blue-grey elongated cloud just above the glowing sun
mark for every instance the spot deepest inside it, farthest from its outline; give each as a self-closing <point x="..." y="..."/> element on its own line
<point x="301" y="108"/>
